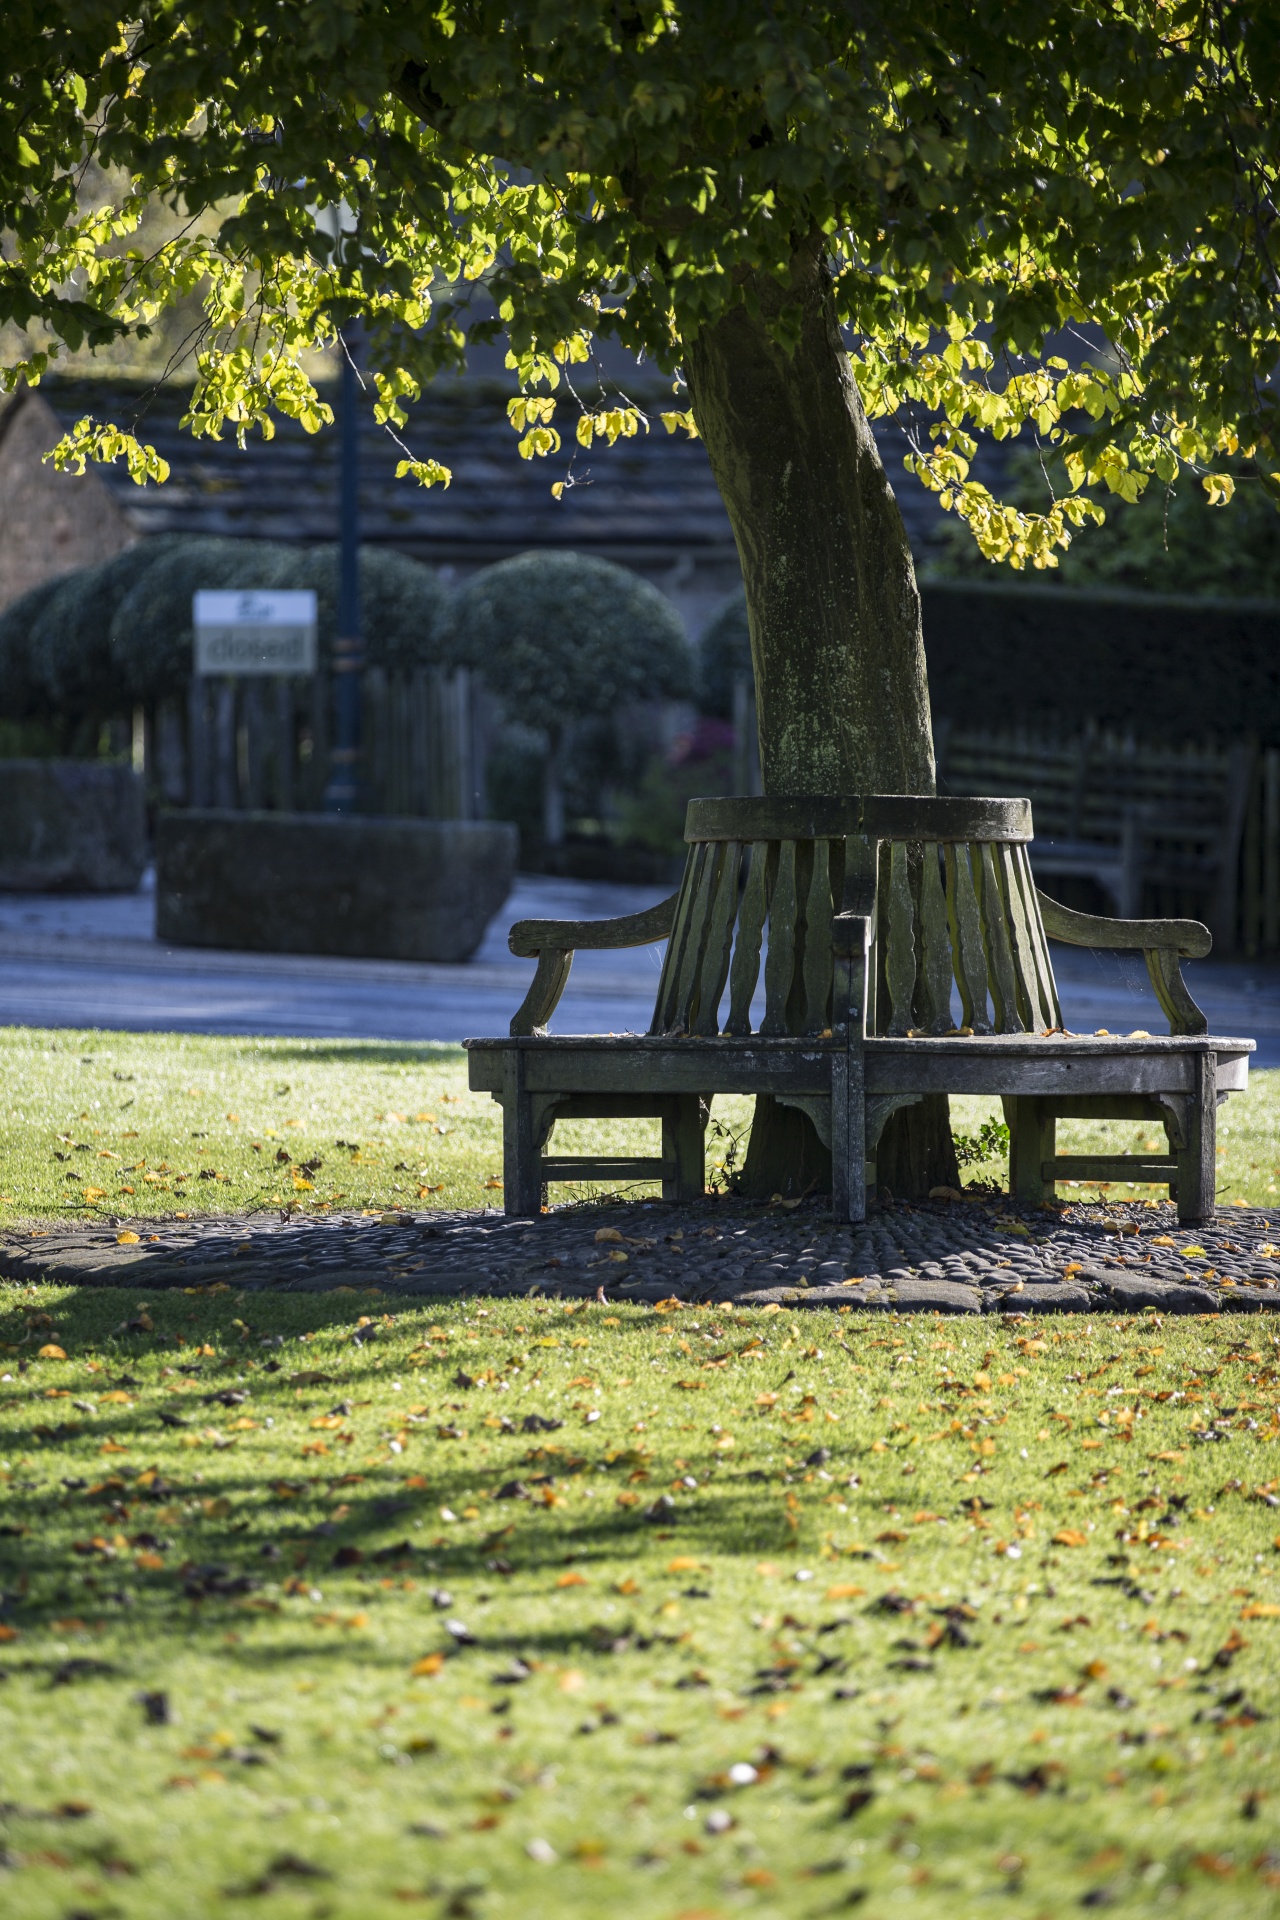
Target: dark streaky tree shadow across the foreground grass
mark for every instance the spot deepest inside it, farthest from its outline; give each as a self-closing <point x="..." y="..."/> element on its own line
<point x="222" y="1527"/>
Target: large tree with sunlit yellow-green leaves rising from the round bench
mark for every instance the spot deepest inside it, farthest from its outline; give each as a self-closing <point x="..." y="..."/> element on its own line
<point x="1016" y="216"/>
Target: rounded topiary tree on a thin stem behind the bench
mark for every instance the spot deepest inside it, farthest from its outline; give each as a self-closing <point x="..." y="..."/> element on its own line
<point x="565" y="638"/>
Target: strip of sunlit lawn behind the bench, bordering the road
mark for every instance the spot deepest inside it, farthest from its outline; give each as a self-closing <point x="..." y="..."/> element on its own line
<point x="151" y="1124"/>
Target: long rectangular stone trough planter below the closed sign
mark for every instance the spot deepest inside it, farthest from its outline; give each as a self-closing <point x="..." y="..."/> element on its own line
<point x="321" y="884"/>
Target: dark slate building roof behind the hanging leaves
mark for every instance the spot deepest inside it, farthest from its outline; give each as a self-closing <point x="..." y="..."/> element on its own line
<point x="644" y="500"/>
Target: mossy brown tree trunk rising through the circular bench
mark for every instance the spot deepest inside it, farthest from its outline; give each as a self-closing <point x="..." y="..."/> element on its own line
<point x="834" y="612"/>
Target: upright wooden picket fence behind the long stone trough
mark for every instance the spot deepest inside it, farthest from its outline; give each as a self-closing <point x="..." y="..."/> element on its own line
<point x="264" y="744"/>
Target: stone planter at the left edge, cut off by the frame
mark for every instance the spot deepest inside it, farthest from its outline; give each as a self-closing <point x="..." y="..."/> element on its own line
<point x="70" y="827"/>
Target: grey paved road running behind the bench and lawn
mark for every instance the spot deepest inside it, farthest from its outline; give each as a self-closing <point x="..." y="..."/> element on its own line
<point x="93" y="961"/>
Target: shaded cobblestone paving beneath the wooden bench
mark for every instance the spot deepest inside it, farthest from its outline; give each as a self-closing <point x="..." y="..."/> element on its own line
<point x="960" y="1257"/>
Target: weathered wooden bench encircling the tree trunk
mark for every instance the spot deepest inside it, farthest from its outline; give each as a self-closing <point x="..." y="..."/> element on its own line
<point x="865" y="919"/>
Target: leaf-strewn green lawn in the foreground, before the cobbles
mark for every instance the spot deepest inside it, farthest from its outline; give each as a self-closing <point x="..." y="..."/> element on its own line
<point x="389" y="1623"/>
